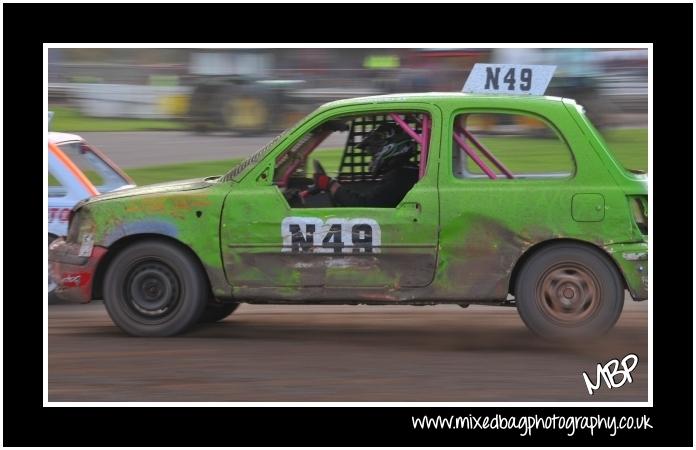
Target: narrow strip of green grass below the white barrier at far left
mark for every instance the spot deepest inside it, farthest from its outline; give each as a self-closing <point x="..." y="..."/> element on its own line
<point x="70" y="120"/>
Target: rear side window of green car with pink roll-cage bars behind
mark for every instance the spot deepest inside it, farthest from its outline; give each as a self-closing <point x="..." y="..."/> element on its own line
<point x="500" y="146"/>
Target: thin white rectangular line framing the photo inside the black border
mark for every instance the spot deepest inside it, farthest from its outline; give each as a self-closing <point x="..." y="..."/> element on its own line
<point x="649" y="403"/>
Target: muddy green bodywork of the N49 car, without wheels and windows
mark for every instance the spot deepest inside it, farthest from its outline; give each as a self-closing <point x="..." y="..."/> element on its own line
<point x="450" y="240"/>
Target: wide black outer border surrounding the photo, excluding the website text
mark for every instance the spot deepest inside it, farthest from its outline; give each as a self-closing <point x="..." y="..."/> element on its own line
<point x="26" y="27"/>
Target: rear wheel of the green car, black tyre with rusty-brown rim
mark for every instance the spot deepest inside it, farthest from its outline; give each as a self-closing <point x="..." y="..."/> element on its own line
<point x="569" y="291"/>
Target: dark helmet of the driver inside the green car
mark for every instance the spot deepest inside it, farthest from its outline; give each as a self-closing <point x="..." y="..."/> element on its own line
<point x="390" y="147"/>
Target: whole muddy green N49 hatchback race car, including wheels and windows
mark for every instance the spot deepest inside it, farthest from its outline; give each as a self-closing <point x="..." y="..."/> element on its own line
<point x="515" y="200"/>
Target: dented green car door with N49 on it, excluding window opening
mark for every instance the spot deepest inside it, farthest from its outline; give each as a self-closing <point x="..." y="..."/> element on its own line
<point x="266" y="242"/>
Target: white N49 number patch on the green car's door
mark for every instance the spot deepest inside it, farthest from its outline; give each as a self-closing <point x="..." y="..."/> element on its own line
<point x="313" y="235"/>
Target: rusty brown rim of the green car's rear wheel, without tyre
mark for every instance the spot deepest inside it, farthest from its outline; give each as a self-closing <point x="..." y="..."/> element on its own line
<point x="568" y="293"/>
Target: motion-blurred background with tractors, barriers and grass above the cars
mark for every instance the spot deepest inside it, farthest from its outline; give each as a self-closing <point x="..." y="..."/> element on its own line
<point x="148" y="107"/>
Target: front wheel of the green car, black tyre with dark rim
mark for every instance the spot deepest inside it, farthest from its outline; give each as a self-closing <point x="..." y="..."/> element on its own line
<point x="155" y="288"/>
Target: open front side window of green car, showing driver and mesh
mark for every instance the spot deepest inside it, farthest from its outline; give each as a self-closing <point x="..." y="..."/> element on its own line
<point x="382" y="158"/>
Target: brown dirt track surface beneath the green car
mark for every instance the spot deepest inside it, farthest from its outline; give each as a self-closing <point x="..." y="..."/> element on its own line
<point x="337" y="353"/>
